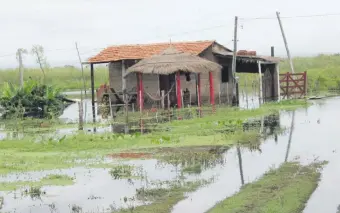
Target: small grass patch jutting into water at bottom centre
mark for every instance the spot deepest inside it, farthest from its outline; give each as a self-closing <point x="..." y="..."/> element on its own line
<point x="163" y="199"/>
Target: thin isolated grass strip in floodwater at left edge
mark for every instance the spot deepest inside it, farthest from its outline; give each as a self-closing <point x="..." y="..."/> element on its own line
<point x="50" y="180"/>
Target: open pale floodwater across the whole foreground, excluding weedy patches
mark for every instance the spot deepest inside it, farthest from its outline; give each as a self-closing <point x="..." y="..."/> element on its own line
<point x="315" y="135"/>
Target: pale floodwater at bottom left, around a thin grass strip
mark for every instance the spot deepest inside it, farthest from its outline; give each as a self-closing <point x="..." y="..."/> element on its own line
<point x="95" y="190"/>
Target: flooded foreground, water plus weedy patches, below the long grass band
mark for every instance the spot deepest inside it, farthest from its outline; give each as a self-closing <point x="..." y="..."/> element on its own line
<point x="102" y="186"/>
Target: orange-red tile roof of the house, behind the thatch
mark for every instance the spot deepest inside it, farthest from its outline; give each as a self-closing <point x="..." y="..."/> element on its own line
<point x="140" y="51"/>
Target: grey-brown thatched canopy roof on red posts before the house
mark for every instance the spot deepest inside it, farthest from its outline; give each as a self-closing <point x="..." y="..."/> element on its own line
<point x="171" y="61"/>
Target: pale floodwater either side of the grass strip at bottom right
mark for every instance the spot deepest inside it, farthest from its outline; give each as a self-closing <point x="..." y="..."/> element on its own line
<point x="315" y="136"/>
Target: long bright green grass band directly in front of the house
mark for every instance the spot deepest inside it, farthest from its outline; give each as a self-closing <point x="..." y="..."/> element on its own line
<point x="223" y="128"/>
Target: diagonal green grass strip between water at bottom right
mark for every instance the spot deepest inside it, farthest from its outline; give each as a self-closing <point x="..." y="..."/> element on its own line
<point x="284" y="190"/>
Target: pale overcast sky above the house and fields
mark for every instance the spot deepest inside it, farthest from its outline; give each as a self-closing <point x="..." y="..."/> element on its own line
<point x="95" y="24"/>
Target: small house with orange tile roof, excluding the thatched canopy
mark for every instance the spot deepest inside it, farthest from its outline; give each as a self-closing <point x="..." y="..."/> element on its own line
<point x="124" y="56"/>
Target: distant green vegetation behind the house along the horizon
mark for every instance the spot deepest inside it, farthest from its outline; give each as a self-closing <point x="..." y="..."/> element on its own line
<point x="323" y="69"/>
